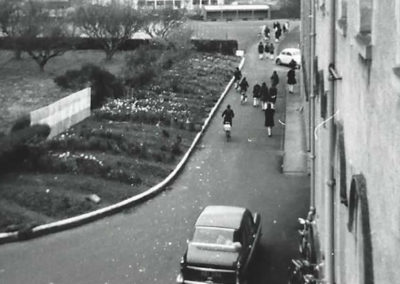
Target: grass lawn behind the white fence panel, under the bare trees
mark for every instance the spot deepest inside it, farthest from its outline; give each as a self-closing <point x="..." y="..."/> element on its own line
<point x="23" y="88"/>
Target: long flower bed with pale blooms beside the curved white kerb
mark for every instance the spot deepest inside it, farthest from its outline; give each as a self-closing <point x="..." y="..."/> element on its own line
<point x="125" y="147"/>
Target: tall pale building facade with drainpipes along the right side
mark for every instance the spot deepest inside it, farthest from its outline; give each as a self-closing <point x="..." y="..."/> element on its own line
<point x="351" y="91"/>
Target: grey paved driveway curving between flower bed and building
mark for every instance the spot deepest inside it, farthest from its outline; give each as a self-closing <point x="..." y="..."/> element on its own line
<point x="144" y="245"/>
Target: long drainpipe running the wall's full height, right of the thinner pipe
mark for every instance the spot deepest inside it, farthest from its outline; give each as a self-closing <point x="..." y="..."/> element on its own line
<point x="330" y="183"/>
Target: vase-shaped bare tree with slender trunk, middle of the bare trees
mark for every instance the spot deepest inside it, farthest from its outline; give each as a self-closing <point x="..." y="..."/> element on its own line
<point x="113" y="25"/>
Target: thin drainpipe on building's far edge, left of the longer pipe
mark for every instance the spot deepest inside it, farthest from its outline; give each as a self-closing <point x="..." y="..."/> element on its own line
<point x="312" y="103"/>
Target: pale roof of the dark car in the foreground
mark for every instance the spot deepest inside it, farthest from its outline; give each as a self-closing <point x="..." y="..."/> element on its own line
<point x="221" y="216"/>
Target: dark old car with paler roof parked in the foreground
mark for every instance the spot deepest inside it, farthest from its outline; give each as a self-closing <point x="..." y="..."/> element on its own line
<point x="223" y="245"/>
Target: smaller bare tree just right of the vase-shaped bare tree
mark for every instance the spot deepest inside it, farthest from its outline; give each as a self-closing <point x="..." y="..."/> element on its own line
<point x="161" y="22"/>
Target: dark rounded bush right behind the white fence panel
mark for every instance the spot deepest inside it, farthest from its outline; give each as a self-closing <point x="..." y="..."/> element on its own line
<point x="104" y="84"/>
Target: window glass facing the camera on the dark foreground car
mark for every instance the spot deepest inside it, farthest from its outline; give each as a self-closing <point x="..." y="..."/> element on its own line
<point x="212" y="235"/>
